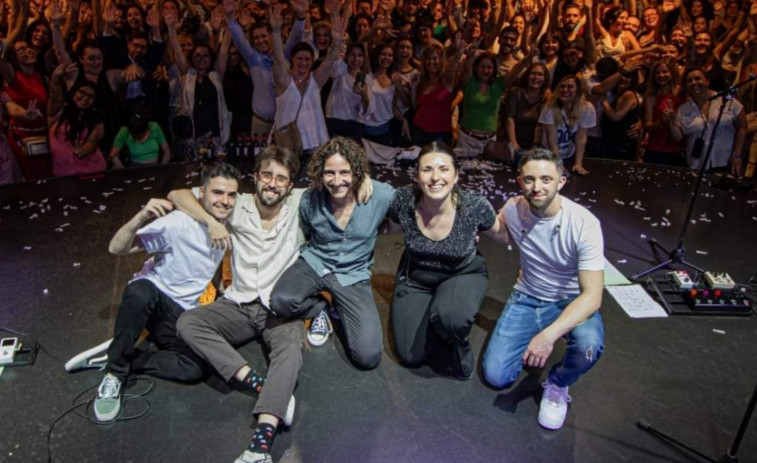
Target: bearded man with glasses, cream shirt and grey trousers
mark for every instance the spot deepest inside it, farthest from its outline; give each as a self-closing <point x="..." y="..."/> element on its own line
<point x="265" y="232"/>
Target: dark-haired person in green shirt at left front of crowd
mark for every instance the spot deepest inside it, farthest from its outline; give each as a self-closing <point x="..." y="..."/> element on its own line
<point x="146" y="142"/>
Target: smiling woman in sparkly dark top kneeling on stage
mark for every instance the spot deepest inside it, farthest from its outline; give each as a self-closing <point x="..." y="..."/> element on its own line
<point x="441" y="279"/>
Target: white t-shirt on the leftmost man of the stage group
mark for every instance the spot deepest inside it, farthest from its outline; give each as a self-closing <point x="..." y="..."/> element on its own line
<point x="183" y="261"/>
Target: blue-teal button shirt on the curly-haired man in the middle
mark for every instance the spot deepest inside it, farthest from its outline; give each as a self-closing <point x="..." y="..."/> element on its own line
<point x="346" y="253"/>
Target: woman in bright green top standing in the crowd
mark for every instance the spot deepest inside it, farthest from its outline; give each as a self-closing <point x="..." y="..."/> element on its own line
<point x="482" y="90"/>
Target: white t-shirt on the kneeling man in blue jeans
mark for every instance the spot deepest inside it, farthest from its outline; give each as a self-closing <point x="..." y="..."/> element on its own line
<point x="554" y="249"/>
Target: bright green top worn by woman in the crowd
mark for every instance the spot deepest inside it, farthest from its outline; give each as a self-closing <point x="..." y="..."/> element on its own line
<point x="481" y="110"/>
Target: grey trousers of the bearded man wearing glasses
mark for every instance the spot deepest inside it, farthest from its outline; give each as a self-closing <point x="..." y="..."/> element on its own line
<point x="213" y="331"/>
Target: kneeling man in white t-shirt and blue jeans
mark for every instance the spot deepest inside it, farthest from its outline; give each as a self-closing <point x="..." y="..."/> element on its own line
<point x="559" y="289"/>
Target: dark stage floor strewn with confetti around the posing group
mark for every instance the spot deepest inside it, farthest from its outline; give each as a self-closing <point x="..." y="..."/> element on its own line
<point x="691" y="376"/>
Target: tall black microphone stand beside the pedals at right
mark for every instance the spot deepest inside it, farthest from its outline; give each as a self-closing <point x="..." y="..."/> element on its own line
<point x="678" y="255"/>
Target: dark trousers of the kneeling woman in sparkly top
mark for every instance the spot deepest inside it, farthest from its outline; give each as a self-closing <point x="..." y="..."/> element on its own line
<point x="432" y="307"/>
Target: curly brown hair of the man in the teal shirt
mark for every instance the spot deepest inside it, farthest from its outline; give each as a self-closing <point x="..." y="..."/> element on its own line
<point x="348" y="149"/>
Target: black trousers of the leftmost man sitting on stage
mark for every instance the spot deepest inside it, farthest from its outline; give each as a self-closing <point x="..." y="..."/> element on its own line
<point x="143" y="305"/>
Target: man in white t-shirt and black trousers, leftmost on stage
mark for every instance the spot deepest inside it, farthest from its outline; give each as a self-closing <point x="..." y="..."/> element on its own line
<point x="171" y="282"/>
